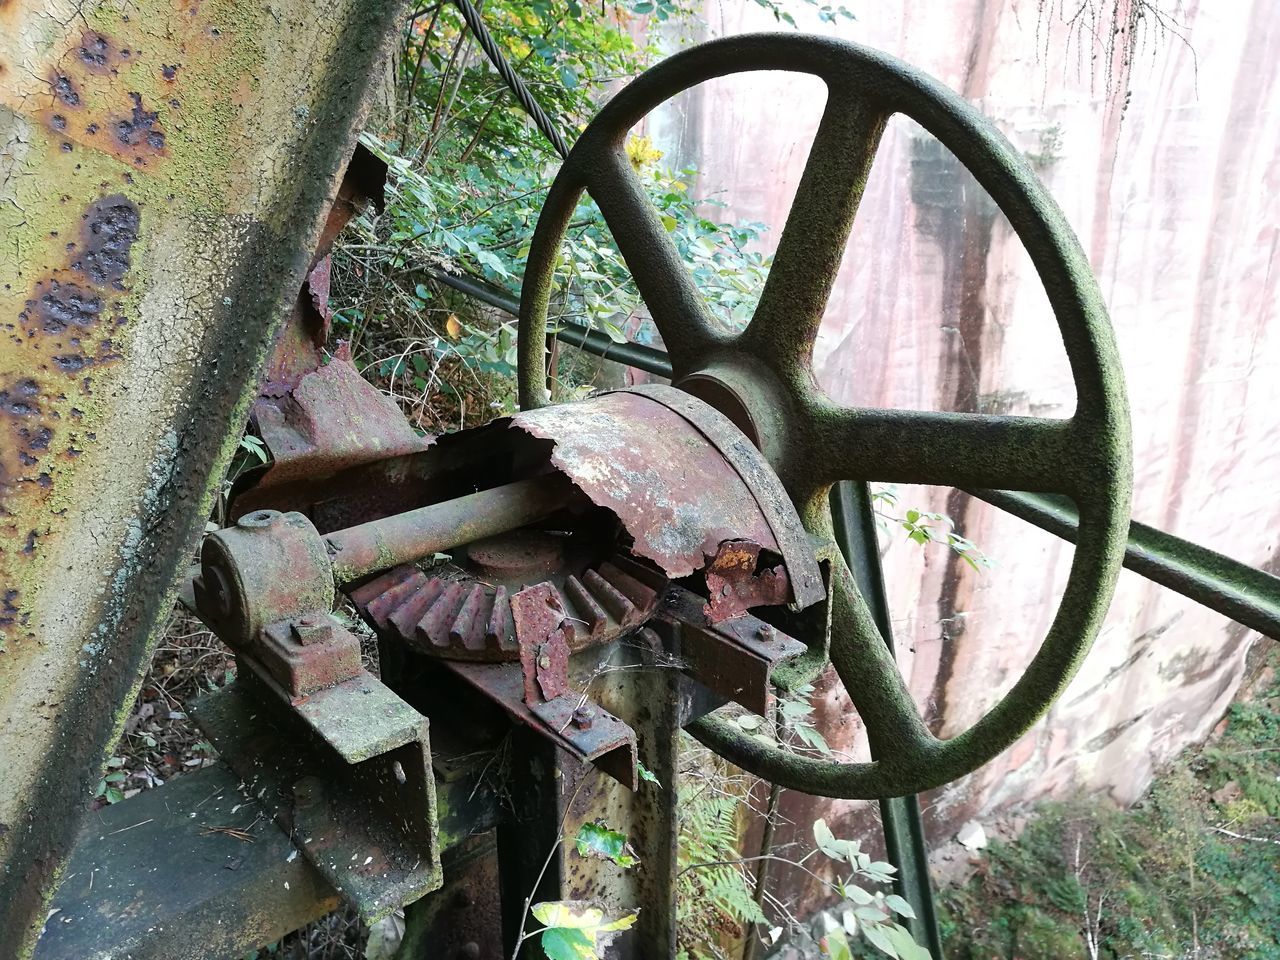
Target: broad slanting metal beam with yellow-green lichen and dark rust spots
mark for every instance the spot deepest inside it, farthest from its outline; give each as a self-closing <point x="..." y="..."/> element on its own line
<point x="164" y="172"/>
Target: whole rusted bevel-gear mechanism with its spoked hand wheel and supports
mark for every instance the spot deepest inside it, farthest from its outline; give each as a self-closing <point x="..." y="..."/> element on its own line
<point x="559" y="593"/>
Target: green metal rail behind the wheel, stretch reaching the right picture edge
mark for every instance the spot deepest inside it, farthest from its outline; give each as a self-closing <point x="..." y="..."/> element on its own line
<point x="1246" y="595"/>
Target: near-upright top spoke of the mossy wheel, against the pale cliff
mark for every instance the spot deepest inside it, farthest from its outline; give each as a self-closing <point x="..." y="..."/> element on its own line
<point x="813" y="241"/>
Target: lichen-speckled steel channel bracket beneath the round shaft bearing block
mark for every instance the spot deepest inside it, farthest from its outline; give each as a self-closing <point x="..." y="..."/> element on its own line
<point x="345" y="771"/>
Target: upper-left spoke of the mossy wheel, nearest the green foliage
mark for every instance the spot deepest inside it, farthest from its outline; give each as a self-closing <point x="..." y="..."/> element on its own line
<point x="669" y="290"/>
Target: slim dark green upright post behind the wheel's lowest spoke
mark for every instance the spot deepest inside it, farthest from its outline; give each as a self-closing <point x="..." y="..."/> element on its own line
<point x="904" y="831"/>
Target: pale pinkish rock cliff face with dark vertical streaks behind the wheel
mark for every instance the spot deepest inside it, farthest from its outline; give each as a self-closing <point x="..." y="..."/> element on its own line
<point x="1164" y="157"/>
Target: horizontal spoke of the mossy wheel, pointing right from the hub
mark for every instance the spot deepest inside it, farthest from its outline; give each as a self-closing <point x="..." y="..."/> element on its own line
<point x="952" y="450"/>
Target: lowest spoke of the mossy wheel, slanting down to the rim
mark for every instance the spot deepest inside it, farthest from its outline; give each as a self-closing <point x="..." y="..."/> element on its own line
<point x="867" y="669"/>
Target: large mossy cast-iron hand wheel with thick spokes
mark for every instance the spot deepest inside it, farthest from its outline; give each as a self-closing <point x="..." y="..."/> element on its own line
<point x="764" y="381"/>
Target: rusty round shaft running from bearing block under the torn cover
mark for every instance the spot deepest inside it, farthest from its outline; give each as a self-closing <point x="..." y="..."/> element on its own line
<point x="380" y="545"/>
